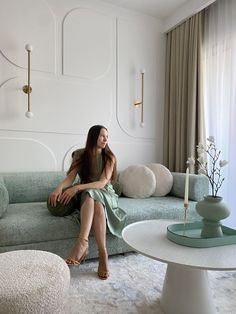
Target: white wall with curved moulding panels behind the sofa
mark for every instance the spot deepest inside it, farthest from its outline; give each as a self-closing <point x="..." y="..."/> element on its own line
<point x="85" y="63"/>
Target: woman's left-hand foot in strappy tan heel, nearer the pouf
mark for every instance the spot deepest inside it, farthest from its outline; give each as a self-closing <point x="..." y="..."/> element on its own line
<point x="78" y="252"/>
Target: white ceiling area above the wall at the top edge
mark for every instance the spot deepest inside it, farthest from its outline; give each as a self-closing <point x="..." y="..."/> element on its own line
<point x="159" y="8"/>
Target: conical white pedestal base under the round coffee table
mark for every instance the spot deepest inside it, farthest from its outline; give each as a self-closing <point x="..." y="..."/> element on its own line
<point x="186" y="290"/>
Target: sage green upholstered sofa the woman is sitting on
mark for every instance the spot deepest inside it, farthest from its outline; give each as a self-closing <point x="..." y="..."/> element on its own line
<point x="25" y="222"/>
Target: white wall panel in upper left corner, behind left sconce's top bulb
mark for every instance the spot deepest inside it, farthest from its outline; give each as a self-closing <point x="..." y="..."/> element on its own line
<point x="24" y="22"/>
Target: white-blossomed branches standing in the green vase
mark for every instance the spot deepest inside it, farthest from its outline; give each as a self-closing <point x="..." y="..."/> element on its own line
<point x="212" y="169"/>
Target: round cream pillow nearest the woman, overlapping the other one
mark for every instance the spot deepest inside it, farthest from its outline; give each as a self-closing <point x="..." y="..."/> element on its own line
<point x="137" y="181"/>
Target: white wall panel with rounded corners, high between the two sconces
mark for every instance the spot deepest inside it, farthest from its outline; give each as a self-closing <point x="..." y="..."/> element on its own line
<point x="87" y="43"/>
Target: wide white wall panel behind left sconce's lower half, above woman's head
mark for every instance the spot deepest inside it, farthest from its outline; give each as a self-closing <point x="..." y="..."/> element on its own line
<point x="59" y="106"/>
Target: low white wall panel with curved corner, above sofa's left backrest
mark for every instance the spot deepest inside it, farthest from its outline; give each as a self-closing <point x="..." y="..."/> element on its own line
<point x="22" y="154"/>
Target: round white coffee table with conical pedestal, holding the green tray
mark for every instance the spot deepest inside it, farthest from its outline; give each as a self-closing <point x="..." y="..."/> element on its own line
<point x="186" y="289"/>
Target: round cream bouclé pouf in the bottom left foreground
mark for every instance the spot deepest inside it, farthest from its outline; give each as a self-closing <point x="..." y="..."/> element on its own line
<point x="33" y="282"/>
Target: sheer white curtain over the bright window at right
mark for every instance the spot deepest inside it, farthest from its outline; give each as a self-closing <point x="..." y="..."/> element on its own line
<point x="220" y="92"/>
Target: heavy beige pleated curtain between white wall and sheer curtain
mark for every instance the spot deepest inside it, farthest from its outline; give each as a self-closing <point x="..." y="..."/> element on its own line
<point x="184" y="115"/>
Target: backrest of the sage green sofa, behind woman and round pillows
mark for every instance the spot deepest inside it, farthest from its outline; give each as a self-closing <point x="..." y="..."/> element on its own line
<point x="24" y="187"/>
